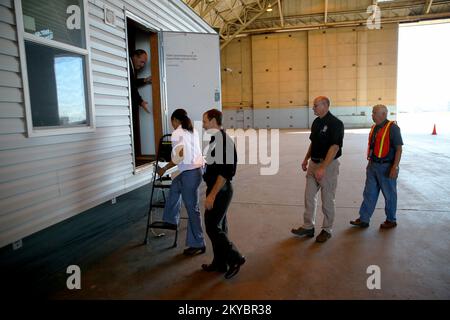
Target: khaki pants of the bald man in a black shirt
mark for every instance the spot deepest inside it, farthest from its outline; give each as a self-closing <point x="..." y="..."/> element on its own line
<point x="327" y="187"/>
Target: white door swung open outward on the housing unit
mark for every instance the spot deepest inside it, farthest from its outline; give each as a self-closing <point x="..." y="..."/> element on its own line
<point x="192" y="63"/>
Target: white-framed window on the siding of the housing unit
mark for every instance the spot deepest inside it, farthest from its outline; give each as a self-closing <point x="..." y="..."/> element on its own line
<point x="54" y="52"/>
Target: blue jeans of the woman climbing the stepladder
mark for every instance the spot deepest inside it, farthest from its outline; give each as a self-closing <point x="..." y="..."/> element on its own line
<point x="185" y="186"/>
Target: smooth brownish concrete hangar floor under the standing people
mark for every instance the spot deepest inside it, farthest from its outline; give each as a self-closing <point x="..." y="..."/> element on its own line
<point x="414" y="258"/>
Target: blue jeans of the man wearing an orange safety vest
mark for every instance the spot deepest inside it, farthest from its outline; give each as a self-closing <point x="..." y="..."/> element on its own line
<point x="377" y="178"/>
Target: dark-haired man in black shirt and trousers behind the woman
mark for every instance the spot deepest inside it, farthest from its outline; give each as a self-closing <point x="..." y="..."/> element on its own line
<point x="221" y="163"/>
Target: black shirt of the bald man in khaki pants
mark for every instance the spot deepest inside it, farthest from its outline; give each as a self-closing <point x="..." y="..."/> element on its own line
<point x="325" y="132"/>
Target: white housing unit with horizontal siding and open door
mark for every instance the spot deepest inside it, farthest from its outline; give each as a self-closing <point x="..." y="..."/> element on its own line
<point x="66" y="124"/>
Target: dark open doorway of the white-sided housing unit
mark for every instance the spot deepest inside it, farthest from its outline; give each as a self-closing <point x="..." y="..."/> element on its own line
<point x="146" y="126"/>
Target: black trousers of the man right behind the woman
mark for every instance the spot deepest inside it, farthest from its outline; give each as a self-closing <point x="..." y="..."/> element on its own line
<point x="216" y="227"/>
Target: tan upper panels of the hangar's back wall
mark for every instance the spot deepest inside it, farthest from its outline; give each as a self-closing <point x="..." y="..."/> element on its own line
<point x="353" y="66"/>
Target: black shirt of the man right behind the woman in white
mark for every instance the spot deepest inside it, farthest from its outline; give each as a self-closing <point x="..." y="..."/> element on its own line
<point x="221" y="158"/>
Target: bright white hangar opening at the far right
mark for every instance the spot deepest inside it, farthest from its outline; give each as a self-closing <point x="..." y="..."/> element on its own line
<point x="423" y="98"/>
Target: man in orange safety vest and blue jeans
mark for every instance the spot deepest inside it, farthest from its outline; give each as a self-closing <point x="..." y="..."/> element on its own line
<point x="383" y="153"/>
